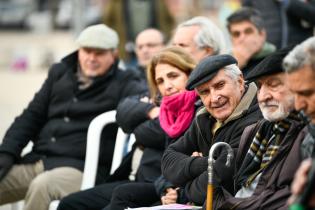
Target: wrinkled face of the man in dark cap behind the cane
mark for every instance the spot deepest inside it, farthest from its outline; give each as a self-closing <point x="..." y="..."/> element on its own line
<point x="221" y="95"/>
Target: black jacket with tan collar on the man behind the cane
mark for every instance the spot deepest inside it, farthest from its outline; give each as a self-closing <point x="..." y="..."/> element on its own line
<point x="191" y="172"/>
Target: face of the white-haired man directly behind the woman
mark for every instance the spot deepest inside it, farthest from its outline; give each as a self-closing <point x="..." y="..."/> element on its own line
<point x="184" y="38"/>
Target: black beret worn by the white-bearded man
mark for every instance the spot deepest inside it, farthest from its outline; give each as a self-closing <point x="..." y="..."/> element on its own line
<point x="272" y="64"/>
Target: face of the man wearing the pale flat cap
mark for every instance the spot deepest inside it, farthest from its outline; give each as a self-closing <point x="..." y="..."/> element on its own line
<point x="95" y="62"/>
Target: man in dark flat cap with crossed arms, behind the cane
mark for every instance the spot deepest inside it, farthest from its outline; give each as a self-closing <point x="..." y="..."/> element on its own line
<point x="229" y="106"/>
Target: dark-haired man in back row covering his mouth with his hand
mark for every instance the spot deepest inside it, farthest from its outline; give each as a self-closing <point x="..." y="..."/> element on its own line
<point x="248" y="36"/>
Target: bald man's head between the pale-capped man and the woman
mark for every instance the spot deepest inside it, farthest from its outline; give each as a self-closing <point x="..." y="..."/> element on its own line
<point x="148" y="43"/>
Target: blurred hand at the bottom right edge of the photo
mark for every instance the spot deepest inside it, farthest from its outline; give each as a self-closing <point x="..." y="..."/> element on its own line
<point x="299" y="182"/>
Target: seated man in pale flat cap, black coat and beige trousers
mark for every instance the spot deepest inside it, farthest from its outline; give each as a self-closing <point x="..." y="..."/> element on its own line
<point x="83" y="85"/>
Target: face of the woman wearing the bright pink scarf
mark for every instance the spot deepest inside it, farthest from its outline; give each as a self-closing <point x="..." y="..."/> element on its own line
<point x="169" y="79"/>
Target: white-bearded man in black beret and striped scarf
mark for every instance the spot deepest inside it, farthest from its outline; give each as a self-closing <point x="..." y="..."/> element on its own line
<point x="269" y="151"/>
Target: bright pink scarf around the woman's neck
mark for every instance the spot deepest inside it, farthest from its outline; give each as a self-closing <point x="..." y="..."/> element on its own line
<point x="177" y="112"/>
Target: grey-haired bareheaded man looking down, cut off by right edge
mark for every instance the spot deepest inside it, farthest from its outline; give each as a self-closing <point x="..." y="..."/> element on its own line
<point x="300" y="67"/>
